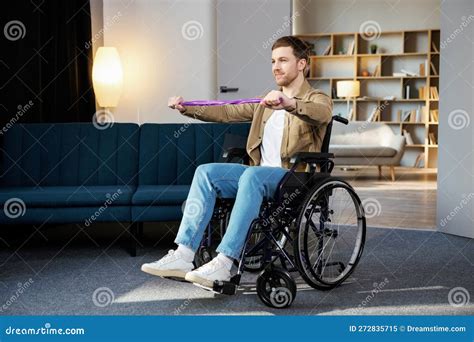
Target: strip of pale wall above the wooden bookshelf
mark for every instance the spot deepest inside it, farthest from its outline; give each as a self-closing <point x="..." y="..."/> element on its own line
<point x="349" y="15"/>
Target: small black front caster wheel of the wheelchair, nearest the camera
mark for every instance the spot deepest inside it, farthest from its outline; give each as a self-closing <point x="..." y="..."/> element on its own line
<point x="276" y="288"/>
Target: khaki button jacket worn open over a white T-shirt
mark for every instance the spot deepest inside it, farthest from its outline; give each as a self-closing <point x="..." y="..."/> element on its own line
<point x="304" y="127"/>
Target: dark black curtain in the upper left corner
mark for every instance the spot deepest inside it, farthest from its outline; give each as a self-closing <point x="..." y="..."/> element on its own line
<point x="46" y="61"/>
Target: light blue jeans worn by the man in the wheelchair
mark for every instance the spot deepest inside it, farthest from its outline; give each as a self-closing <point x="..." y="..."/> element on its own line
<point x="249" y="185"/>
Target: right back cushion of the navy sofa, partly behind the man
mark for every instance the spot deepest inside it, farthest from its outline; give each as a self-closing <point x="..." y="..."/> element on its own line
<point x="170" y="153"/>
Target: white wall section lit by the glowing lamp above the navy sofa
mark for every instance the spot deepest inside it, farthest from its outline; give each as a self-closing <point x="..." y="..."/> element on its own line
<point x="160" y="61"/>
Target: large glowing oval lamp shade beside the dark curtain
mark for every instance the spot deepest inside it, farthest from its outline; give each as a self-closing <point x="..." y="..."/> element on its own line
<point x="107" y="76"/>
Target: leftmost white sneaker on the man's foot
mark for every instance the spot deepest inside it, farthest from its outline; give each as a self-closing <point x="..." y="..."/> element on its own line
<point x="171" y="265"/>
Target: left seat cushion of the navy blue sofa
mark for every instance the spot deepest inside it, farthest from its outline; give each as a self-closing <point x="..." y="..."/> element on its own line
<point x="64" y="196"/>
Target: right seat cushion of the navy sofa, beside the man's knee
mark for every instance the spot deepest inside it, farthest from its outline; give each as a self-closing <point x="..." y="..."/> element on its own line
<point x="160" y="194"/>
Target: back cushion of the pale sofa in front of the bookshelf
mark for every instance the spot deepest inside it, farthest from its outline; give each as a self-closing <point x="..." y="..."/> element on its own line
<point x="361" y="133"/>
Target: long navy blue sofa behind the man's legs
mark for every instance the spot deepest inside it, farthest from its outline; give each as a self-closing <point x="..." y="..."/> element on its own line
<point x="77" y="173"/>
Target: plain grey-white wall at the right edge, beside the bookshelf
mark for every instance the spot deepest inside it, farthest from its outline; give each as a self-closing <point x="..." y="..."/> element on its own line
<point x="456" y="127"/>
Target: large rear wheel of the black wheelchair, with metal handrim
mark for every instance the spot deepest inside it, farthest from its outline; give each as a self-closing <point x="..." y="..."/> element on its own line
<point x="330" y="234"/>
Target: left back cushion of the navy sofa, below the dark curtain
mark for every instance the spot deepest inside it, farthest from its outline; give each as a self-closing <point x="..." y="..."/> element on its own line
<point x="68" y="154"/>
